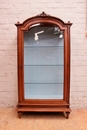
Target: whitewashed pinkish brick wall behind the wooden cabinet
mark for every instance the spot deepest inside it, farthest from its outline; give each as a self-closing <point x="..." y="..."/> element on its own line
<point x="12" y="11"/>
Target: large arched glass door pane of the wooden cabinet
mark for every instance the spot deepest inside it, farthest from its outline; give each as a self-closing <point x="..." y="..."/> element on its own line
<point x="43" y="63"/>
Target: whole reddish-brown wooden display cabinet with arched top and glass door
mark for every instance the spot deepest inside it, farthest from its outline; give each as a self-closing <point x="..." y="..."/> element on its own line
<point x="43" y="45"/>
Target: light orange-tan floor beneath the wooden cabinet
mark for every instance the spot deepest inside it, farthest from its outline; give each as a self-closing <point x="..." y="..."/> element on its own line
<point x="42" y="121"/>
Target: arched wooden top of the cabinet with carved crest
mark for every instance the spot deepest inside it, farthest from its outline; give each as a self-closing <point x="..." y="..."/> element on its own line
<point x="43" y="18"/>
